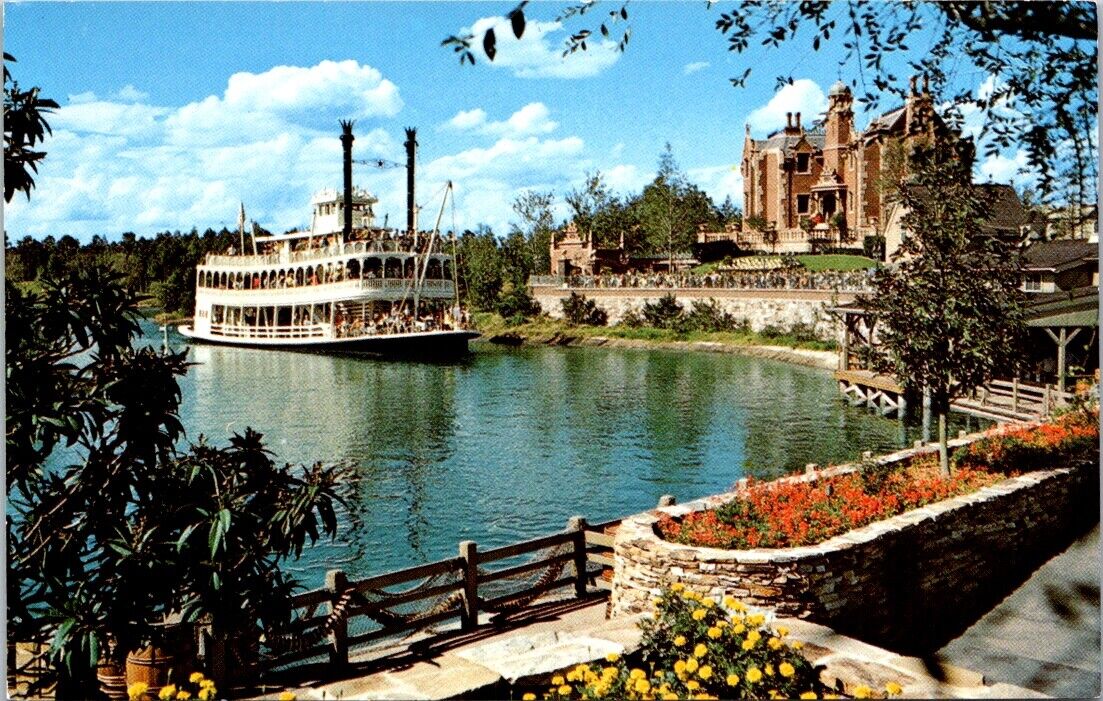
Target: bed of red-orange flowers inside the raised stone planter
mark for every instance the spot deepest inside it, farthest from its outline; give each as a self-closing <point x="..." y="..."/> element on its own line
<point x="787" y="514"/>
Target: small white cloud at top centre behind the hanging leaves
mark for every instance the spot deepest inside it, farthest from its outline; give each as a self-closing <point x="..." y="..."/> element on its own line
<point x="539" y="53"/>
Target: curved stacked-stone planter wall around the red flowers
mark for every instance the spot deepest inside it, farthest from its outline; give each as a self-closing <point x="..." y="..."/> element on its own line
<point x="912" y="583"/>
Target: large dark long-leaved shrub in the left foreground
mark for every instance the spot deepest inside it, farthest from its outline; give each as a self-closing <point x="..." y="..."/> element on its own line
<point x="111" y="526"/>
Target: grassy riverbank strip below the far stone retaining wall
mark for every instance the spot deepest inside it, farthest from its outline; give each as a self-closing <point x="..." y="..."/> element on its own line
<point x="555" y="332"/>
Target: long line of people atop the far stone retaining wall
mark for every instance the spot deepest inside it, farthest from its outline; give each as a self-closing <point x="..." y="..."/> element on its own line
<point x="778" y="279"/>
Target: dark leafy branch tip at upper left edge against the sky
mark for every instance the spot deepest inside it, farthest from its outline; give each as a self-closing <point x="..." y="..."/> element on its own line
<point x="25" y="126"/>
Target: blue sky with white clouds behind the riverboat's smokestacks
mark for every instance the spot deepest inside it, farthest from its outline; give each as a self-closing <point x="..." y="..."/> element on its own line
<point x="173" y="114"/>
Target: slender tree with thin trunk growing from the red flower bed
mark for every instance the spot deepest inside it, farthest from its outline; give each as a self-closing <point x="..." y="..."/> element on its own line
<point x="950" y="309"/>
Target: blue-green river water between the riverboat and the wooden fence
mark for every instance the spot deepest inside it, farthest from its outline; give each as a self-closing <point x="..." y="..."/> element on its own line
<point x="509" y="444"/>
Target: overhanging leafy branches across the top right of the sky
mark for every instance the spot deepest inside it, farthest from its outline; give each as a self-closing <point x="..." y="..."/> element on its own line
<point x="1042" y="55"/>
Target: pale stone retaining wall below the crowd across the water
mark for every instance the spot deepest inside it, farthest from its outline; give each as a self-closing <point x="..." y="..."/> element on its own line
<point x="761" y="308"/>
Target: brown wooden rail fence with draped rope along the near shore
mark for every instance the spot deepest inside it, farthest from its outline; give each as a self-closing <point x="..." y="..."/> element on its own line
<point x="459" y="588"/>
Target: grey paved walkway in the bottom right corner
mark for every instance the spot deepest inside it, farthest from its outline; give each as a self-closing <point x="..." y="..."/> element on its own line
<point x="1046" y="635"/>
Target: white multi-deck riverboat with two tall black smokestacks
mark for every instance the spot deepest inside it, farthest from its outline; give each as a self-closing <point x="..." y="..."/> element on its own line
<point x="344" y="285"/>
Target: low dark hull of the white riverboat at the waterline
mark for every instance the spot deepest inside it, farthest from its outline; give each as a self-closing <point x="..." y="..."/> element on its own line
<point x="430" y="344"/>
